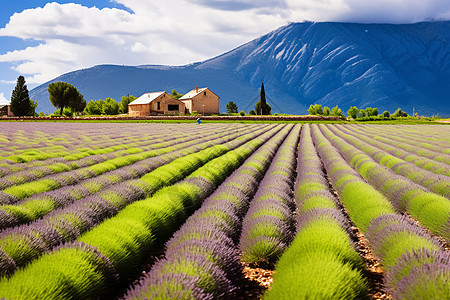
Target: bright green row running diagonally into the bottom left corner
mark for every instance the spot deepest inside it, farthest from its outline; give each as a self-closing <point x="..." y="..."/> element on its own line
<point x="127" y="239"/>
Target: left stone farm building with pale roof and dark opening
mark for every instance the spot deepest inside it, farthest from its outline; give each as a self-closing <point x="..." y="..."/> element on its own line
<point x="156" y="103"/>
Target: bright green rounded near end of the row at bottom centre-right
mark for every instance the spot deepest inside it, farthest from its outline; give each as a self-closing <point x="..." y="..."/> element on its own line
<point x="321" y="262"/>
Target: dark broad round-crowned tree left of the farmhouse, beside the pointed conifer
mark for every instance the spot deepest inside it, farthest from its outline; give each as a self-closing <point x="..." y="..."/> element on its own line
<point x="63" y="94"/>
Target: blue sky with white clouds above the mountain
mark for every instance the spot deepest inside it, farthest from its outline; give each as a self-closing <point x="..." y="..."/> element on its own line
<point x="42" y="39"/>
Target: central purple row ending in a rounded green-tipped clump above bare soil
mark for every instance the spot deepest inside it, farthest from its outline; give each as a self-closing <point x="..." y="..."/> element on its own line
<point x="268" y="226"/>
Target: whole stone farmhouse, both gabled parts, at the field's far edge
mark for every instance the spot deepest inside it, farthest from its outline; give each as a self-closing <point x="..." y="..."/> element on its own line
<point x="203" y="101"/>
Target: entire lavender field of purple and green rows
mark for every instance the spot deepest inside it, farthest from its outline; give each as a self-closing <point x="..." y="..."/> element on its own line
<point x="224" y="211"/>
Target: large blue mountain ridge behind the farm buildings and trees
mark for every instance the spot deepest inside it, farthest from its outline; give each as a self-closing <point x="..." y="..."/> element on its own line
<point x="378" y="65"/>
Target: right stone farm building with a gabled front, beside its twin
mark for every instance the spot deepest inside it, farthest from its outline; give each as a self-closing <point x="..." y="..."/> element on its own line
<point x="203" y="101"/>
